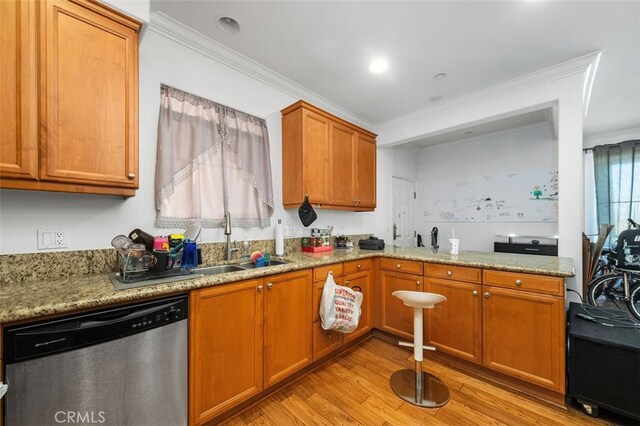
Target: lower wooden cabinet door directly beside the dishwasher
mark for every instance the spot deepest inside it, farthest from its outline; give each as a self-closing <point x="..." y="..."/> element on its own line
<point x="226" y="341"/>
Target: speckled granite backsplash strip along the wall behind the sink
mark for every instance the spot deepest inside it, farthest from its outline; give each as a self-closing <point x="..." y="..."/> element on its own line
<point x="16" y="268"/>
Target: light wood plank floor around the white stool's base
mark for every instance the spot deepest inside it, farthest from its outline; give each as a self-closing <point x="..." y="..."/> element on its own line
<point x="354" y="389"/>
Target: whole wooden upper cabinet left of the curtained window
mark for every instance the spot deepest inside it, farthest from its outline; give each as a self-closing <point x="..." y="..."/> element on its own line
<point x="85" y="81"/>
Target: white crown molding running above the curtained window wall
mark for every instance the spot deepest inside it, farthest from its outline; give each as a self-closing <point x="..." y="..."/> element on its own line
<point x="175" y="30"/>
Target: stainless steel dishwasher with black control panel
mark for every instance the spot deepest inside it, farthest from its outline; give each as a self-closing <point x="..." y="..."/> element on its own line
<point x="121" y="366"/>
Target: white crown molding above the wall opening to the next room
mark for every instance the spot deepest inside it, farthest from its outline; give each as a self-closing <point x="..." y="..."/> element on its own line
<point x="586" y="65"/>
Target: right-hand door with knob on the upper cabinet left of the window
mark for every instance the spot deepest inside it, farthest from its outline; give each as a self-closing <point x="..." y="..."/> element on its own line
<point x="89" y="101"/>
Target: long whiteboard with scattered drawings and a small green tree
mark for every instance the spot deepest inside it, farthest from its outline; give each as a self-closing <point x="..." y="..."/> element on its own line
<point x="530" y="196"/>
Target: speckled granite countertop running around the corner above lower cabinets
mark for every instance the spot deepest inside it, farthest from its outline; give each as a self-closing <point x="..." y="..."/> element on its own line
<point x="31" y="300"/>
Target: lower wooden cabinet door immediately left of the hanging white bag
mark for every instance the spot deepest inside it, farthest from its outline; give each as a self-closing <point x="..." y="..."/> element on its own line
<point x="288" y="320"/>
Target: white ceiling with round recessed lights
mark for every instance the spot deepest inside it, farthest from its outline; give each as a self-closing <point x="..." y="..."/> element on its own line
<point x="326" y="47"/>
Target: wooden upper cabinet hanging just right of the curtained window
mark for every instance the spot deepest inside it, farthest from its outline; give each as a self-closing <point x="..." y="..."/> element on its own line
<point x="331" y="160"/>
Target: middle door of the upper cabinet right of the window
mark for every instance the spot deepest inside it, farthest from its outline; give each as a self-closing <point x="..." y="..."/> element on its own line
<point x="343" y="157"/>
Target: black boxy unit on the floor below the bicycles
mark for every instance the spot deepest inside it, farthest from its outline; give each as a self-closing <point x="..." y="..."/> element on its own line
<point x="604" y="360"/>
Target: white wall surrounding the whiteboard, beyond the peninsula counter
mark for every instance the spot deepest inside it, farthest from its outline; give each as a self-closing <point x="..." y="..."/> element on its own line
<point x="517" y="150"/>
